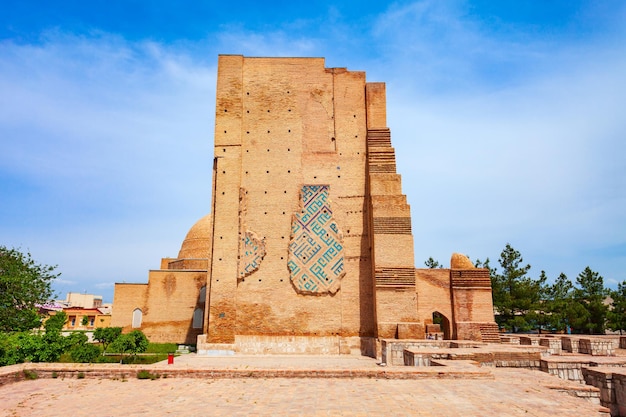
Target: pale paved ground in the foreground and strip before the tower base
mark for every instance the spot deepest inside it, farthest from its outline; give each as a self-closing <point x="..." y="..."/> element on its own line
<point x="511" y="392"/>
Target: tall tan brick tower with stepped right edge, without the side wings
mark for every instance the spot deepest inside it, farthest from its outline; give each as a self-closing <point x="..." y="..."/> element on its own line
<point x="312" y="235"/>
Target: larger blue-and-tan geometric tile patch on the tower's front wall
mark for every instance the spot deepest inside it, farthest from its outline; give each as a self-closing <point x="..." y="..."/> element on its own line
<point x="316" y="258"/>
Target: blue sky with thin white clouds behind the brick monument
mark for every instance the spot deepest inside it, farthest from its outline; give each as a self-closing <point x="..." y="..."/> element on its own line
<point x="507" y="118"/>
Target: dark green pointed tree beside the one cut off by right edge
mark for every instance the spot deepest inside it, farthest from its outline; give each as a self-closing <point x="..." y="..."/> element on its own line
<point x="591" y="295"/>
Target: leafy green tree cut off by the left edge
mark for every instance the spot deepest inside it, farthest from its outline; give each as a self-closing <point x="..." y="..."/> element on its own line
<point x="24" y="284"/>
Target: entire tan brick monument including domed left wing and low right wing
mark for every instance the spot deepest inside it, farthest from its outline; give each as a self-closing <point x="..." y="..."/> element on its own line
<point x="309" y="245"/>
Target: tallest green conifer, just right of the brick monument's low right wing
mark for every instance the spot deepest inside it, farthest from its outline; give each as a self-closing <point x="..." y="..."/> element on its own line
<point x="516" y="297"/>
